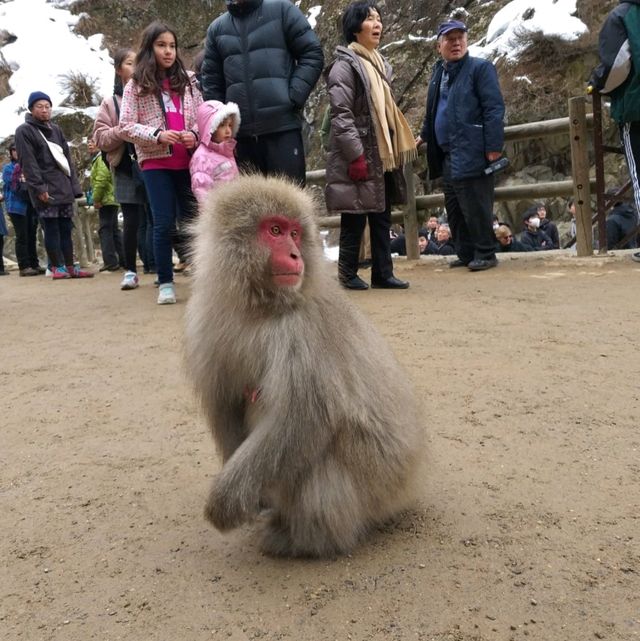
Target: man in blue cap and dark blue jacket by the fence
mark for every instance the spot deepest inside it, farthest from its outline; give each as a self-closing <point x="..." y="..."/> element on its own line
<point x="464" y="131"/>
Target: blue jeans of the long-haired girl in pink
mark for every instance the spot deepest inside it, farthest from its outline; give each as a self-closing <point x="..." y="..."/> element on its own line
<point x="171" y="201"/>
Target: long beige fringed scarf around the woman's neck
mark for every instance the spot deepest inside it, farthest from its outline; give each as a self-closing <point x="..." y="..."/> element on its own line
<point x="396" y="142"/>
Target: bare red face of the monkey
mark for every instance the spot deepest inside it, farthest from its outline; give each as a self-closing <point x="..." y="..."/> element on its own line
<point x="283" y="237"/>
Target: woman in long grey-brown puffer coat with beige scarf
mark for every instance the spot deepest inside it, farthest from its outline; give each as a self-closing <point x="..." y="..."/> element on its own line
<point x="369" y="142"/>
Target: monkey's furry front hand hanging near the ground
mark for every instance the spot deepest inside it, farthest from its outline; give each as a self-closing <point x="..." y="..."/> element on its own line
<point x="231" y="502"/>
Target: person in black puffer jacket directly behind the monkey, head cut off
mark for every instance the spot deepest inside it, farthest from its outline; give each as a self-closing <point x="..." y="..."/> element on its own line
<point x="264" y="56"/>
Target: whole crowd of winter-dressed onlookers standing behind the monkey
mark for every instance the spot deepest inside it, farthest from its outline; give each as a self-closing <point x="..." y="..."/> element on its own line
<point x="168" y="135"/>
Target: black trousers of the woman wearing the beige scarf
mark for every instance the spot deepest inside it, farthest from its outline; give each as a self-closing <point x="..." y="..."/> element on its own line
<point x="351" y="230"/>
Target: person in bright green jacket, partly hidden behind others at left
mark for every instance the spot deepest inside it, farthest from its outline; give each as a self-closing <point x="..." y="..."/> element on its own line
<point x="107" y="207"/>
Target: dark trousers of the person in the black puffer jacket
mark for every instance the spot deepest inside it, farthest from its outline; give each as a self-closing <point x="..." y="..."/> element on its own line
<point x="274" y="154"/>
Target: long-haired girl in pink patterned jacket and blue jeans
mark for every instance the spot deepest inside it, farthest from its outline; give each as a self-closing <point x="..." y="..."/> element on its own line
<point x="158" y="115"/>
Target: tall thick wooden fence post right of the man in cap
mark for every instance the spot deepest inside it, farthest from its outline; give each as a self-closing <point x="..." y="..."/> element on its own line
<point x="580" y="172"/>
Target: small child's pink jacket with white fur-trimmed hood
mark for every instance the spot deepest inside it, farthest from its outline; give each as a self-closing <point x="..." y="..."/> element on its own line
<point x="213" y="162"/>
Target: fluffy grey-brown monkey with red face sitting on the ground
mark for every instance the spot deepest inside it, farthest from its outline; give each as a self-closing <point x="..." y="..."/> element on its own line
<point x="311" y="414"/>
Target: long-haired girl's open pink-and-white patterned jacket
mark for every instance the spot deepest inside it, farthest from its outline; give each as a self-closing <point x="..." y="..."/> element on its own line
<point x="142" y="119"/>
